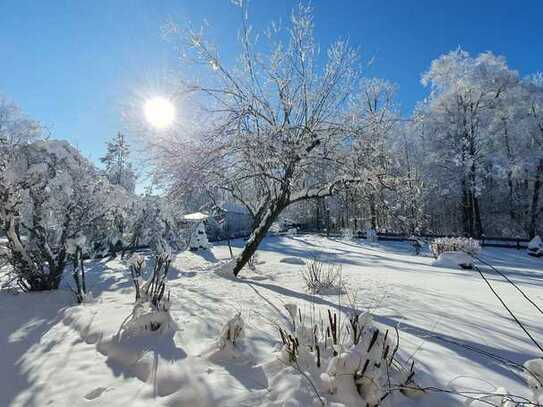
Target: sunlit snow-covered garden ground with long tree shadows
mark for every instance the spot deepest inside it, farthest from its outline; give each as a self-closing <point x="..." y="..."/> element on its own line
<point x="55" y="353"/>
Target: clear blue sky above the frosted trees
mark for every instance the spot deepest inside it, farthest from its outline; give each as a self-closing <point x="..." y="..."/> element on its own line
<point x="76" y="64"/>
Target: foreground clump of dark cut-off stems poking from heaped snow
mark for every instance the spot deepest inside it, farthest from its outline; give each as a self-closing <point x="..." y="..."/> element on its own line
<point x="353" y="362"/>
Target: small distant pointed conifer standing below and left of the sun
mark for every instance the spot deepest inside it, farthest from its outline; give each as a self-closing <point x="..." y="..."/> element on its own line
<point x="119" y="169"/>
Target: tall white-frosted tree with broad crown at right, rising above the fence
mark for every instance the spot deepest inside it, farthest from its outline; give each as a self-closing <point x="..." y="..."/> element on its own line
<point x="465" y="91"/>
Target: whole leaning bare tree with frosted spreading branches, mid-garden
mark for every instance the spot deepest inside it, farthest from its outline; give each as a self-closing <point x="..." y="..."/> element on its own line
<point x="271" y="121"/>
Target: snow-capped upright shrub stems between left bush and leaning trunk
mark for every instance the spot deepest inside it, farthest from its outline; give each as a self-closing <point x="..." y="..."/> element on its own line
<point x="152" y="306"/>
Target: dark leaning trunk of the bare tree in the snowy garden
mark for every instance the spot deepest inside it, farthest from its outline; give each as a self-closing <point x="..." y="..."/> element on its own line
<point x="259" y="231"/>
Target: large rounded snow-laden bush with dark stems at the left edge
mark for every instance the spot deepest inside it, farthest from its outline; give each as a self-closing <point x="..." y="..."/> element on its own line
<point x="49" y="194"/>
